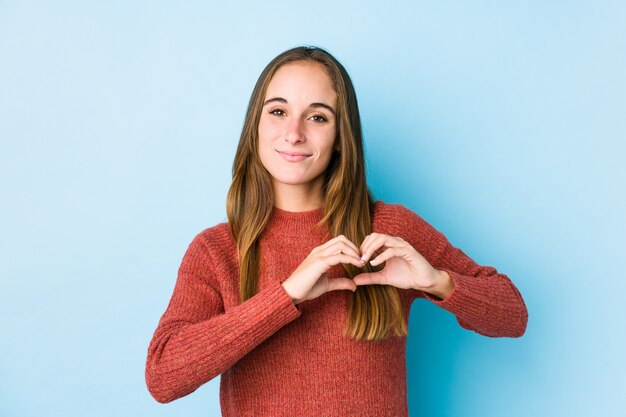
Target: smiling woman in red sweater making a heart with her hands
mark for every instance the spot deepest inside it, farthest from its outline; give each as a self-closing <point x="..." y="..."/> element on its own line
<point x="262" y="299"/>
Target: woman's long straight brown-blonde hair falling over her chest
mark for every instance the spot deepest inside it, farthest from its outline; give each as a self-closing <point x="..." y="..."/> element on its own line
<point x="375" y="310"/>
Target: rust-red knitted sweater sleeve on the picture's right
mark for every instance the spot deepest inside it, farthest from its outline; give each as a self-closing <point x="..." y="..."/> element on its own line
<point x="483" y="300"/>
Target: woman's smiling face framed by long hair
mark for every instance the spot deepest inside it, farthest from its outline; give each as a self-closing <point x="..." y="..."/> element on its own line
<point x="297" y="129"/>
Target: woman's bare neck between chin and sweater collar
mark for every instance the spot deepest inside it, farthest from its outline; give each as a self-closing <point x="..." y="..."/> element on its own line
<point x="300" y="197"/>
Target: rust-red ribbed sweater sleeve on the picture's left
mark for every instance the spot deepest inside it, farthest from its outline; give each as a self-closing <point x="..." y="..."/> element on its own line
<point x="195" y="339"/>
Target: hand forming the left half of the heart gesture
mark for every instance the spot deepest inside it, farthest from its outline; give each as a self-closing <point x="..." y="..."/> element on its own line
<point x="309" y="280"/>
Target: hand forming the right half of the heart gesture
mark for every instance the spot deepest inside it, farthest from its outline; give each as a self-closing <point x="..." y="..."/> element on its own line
<point x="405" y="267"/>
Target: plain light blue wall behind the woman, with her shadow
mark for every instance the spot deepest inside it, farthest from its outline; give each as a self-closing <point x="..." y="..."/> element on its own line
<point x="501" y="123"/>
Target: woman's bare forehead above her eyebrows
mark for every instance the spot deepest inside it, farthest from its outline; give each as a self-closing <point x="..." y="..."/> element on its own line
<point x="302" y="81"/>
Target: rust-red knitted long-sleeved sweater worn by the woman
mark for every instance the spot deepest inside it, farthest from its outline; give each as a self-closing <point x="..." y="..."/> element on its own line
<point x="277" y="358"/>
